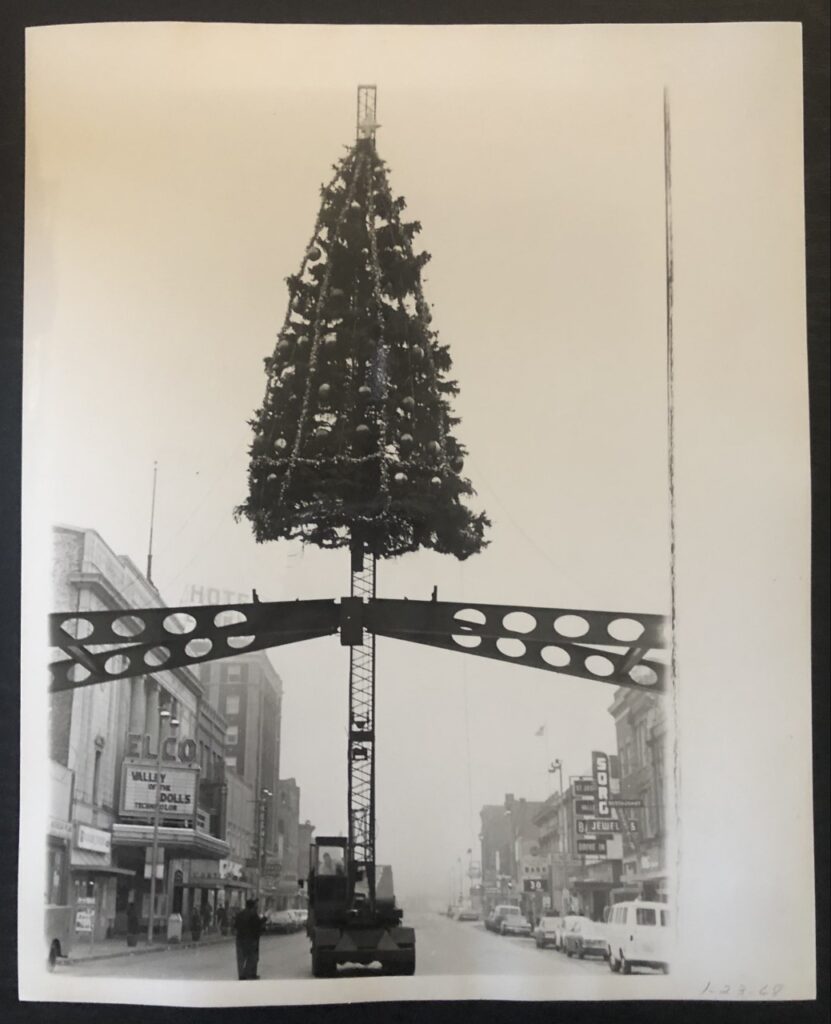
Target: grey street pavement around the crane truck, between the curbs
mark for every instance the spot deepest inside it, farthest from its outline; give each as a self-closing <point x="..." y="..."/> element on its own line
<point x="444" y="947"/>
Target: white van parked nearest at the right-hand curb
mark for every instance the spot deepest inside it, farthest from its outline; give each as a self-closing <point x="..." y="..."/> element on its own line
<point x="640" y="934"/>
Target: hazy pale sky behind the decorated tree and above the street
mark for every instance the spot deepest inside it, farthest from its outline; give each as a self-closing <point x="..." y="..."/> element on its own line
<point x="172" y="184"/>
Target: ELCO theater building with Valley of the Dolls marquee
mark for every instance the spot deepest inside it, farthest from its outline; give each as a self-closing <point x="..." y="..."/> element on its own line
<point x="129" y="746"/>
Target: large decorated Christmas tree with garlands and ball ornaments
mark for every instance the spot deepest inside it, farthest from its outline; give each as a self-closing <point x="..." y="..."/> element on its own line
<point x="355" y="439"/>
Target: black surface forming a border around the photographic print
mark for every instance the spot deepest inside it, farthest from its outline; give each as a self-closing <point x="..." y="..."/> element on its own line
<point x="16" y="16"/>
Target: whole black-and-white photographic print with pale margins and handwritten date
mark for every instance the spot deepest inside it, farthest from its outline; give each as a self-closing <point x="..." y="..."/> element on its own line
<point x="416" y="497"/>
